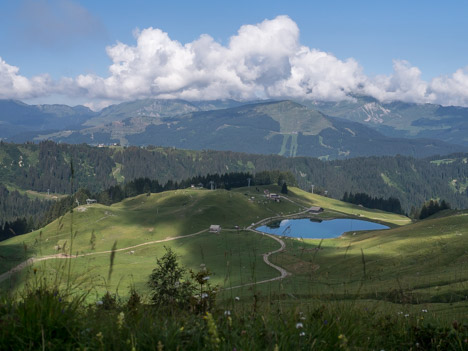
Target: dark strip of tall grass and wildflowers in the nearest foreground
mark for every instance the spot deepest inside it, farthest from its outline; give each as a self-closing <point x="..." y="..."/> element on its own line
<point x="46" y="319"/>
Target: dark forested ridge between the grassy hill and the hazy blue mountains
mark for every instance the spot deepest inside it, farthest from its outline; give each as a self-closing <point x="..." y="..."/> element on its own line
<point x="46" y="167"/>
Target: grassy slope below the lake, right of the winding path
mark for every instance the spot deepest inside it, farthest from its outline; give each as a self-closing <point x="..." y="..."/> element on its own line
<point x="422" y="264"/>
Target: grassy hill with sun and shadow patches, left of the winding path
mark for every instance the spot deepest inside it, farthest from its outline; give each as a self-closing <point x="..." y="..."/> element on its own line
<point x="147" y="220"/>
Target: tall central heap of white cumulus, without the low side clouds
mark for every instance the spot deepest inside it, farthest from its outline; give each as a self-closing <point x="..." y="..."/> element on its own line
<point x="262" y="61"/>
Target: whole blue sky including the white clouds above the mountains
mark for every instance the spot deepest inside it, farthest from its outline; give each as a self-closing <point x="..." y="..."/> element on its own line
<point x="101" y="52"/>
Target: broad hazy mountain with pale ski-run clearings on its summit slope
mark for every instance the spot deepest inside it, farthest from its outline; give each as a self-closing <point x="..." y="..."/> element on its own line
<point x="279" y="127"/>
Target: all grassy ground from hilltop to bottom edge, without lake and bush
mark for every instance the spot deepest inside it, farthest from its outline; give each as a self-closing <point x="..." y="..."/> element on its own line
<point x="403" y="288"/>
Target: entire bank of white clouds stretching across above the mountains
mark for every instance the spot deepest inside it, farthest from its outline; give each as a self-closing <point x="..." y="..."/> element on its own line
<point x="265" y="60"/>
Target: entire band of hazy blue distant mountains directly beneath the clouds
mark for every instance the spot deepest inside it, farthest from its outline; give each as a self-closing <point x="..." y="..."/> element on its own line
<point x="359" y="127"/>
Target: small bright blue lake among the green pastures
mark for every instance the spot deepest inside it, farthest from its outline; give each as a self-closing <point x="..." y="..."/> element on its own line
<point x="315" y="229"/>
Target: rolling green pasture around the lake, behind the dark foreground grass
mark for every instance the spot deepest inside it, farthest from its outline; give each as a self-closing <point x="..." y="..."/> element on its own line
<point x="411" y="264"/>
